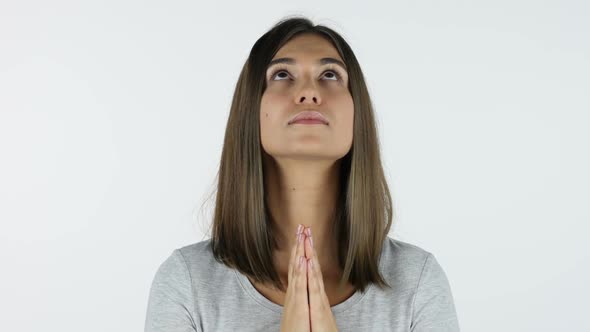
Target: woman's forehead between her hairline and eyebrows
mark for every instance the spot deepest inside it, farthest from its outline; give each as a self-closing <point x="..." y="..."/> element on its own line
<point x="308" y="45"/>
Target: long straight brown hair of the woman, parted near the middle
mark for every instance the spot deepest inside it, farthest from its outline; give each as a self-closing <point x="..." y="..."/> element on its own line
<point x="242" y="234"/>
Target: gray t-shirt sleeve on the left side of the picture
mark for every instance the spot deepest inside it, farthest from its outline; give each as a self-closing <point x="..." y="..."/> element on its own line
<point x="170" y="305"/>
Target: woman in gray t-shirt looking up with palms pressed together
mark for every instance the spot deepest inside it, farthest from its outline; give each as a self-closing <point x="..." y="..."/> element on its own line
<point x="299" y="240"/>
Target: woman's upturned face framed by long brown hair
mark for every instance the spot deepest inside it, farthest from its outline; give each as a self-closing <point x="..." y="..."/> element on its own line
<point x="311" y="80"/>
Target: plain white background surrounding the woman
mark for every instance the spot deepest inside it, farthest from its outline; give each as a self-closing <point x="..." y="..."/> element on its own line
<point x="112" y="116"/>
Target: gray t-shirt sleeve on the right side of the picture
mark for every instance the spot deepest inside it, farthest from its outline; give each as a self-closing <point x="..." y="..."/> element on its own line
<point x="434" y="307"/>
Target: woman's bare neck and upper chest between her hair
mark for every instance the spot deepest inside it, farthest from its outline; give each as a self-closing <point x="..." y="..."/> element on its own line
<point x="303" y="192"/>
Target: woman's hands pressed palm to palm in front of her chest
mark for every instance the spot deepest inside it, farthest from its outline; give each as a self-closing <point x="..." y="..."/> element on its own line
<point x="306" y="305"/>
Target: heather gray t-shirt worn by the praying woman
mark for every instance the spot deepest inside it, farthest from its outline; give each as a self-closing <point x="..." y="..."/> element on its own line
<point x="191" y="292"/>
